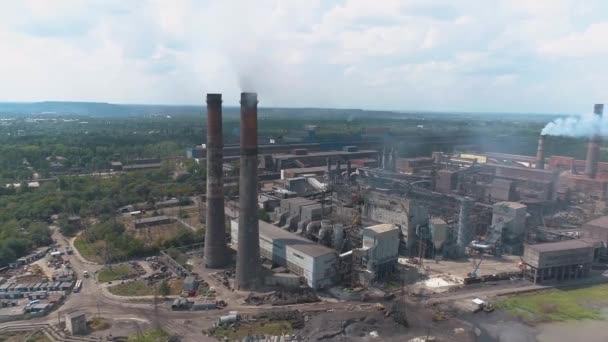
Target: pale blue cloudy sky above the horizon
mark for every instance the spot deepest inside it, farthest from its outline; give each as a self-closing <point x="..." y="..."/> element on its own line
<point x="464" y="55"/>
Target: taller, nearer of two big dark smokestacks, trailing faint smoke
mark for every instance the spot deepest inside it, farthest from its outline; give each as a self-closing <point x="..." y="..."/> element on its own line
<point x="248" y="250"/>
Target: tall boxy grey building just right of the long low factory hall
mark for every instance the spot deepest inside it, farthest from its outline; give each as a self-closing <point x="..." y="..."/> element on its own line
<point x="378" y="256"/>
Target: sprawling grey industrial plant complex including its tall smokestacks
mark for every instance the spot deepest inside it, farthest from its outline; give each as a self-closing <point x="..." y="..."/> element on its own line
<point x="308" y="215"/>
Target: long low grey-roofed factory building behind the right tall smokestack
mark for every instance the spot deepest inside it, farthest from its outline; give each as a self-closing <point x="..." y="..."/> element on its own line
<point x="313" y="262"/>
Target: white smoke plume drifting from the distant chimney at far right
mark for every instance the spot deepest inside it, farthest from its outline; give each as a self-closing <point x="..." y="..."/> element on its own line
<point x="586" y="125"/>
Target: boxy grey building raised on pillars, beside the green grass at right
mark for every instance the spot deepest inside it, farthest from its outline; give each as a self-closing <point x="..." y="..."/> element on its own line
<point x="562" y="260"/>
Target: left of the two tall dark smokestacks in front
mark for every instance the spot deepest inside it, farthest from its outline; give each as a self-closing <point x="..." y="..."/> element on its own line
<point x="215" y="232"/>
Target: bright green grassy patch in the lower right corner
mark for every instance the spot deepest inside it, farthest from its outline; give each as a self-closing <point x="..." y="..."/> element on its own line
<point x="558" y="305"/>
